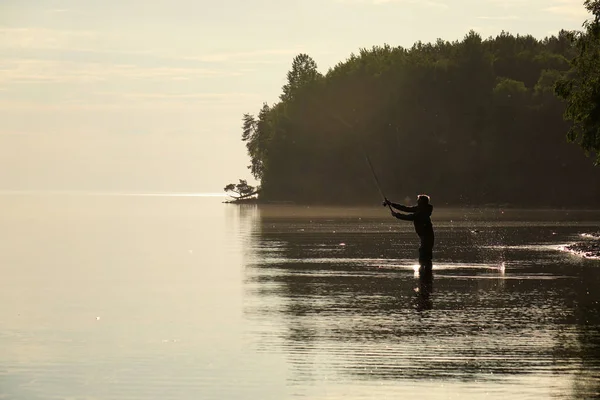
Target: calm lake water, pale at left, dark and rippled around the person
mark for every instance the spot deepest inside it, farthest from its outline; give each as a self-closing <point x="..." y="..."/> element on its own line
<point x="174" y="297"/>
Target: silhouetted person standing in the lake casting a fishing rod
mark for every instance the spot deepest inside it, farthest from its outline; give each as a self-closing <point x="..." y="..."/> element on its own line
<point x="421" y="217"/>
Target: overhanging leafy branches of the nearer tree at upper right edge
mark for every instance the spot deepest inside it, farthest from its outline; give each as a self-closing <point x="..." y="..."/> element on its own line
<point x="581" y="87"/>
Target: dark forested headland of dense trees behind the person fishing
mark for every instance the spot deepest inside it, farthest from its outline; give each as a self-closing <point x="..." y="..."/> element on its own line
<point x="470" y="122"/>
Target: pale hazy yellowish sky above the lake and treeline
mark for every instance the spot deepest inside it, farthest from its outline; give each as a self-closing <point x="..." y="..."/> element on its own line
<point x="148" y="95"/>
